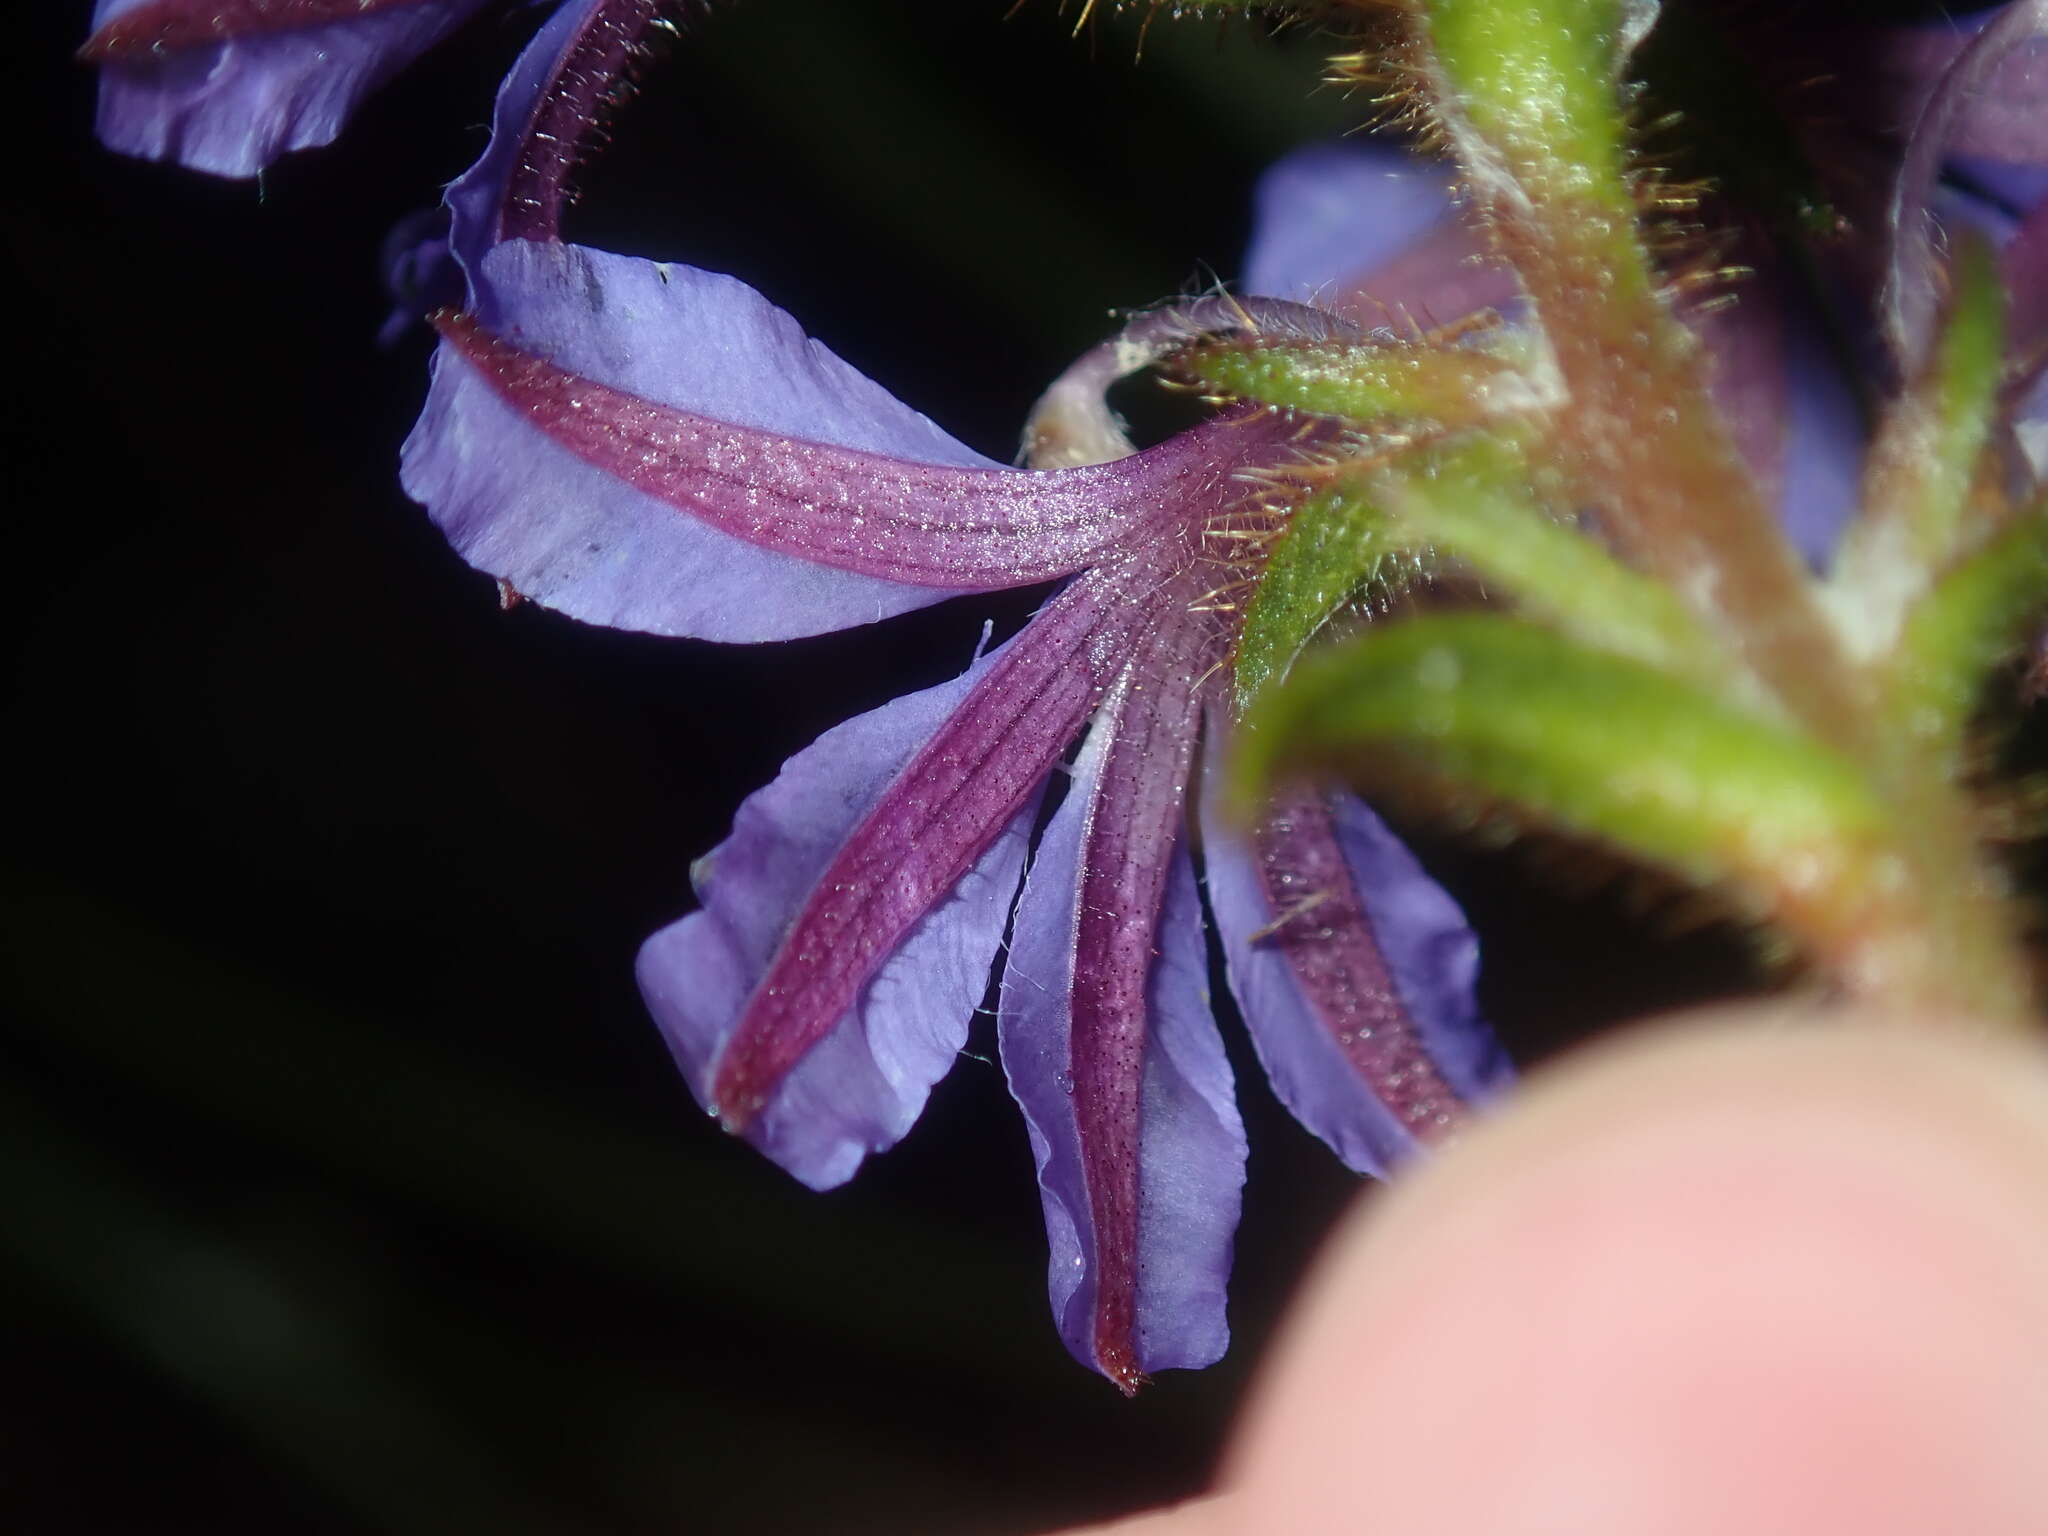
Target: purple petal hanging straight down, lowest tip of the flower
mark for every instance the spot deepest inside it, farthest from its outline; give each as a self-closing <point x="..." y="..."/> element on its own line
<point x="1111" y="1046"/>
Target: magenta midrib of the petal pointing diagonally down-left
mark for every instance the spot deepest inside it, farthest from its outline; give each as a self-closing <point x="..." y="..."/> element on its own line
<point x="800" y="1000"/>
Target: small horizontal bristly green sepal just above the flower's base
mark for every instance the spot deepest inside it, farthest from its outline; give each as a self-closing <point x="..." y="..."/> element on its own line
<point x="1400" y="384"/>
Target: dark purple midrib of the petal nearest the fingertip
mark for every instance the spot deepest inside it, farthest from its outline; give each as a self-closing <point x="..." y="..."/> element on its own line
<point x="1336" y="962"/>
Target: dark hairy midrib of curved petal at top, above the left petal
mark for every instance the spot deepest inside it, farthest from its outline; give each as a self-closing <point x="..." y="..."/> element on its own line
<point x="591" y="69"/>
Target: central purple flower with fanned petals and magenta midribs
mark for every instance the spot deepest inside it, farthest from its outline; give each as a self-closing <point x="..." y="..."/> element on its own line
<point x="656" y="447"/>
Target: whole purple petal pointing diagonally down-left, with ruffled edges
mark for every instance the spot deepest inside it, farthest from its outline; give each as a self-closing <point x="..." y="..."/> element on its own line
<point x="822" y="906"/>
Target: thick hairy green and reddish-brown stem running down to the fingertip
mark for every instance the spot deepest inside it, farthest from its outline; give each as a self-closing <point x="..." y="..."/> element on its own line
<point x="1529" y="93"/>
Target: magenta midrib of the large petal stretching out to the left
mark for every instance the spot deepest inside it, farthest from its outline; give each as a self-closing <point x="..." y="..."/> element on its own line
<point x="927" y="525"/>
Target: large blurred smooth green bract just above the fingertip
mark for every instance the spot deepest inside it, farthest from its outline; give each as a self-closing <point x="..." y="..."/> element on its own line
<point x="1580" y="738"/>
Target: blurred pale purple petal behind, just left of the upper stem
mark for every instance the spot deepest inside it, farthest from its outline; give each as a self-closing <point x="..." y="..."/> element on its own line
<point x="1371" y="232"/>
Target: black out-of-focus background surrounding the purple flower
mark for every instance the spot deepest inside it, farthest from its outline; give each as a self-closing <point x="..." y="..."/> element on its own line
<point x="345" y="1183"/>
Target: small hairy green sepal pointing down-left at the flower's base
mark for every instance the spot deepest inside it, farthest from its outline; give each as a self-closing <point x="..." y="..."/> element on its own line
<point x="1330" y="550"/>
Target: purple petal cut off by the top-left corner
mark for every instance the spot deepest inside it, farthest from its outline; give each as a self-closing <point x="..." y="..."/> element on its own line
<point x="232" y="85"/>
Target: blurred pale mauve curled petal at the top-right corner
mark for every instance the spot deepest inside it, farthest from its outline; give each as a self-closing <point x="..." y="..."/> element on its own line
<point x="1990" y="79"/>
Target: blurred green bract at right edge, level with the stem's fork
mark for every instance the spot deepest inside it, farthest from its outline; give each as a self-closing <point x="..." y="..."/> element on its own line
<point x="1971" y="622"/>
